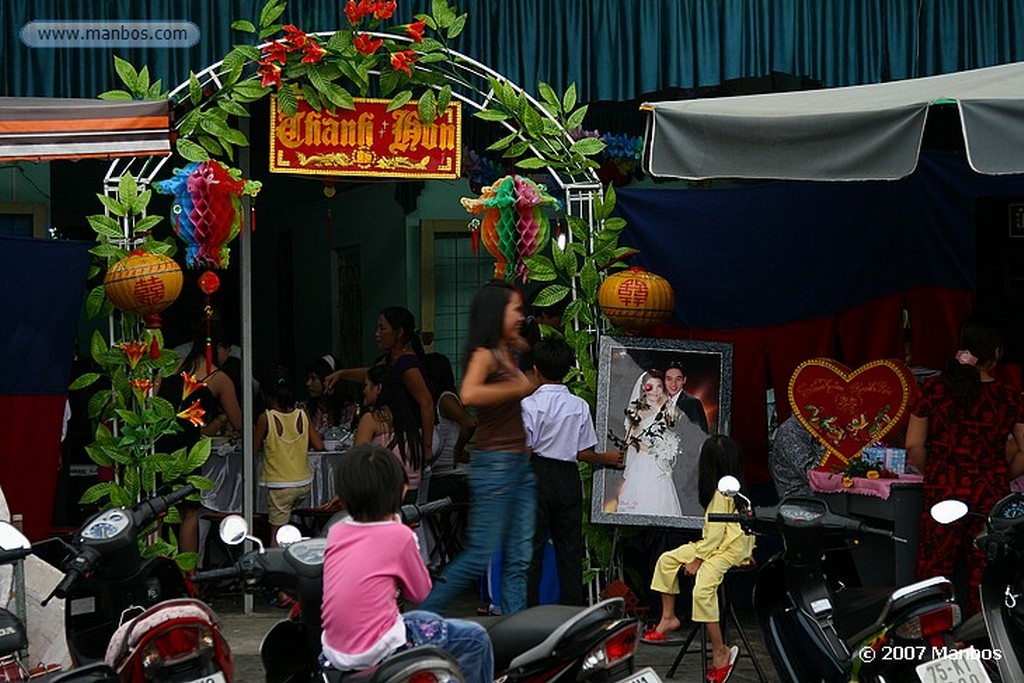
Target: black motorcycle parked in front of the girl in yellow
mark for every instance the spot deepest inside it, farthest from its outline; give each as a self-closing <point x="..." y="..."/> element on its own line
<point x="819" y="632"/>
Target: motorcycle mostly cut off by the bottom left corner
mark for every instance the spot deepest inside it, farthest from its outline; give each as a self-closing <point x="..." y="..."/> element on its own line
<point x="14" y="639"/>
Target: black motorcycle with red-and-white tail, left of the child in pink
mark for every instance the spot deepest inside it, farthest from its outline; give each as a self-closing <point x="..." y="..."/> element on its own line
<point x="138" y="615"/>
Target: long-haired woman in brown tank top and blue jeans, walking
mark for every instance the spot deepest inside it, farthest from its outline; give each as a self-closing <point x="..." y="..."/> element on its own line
<point x="502" y="485"/>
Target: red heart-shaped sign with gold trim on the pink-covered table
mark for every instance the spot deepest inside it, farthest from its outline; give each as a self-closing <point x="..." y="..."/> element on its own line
<point x="847" y="410"/>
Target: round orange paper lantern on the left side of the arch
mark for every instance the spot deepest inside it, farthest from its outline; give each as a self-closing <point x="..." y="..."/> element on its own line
<point x="145" y="284"/>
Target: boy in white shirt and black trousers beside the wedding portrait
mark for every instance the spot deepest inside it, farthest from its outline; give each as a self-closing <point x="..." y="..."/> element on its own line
<point x="560" y="434"/>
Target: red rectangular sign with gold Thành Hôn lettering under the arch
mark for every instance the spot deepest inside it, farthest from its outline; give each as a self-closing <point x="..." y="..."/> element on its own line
<point x="368" y="141"/>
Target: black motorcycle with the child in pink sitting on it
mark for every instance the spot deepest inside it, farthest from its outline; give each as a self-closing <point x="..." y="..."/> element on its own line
<point x="543" y="644"/>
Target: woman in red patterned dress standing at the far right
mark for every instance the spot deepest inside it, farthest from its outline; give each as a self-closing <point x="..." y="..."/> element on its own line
<point x="958" y="439"/>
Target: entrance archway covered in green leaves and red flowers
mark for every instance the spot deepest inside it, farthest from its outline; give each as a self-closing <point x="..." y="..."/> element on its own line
<point x="399" y="63"/>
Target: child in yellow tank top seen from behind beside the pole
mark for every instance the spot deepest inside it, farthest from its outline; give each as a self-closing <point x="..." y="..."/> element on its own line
<point x="285" y="434"/>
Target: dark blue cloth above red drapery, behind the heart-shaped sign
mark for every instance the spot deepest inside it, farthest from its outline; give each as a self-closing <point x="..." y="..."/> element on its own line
<point x="753" y="251"/>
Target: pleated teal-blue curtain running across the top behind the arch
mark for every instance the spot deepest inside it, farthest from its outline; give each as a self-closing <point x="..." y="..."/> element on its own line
<point x="613" y="50"/>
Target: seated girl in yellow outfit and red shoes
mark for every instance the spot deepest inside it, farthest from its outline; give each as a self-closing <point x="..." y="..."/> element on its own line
<point x="723" y="546"/>
